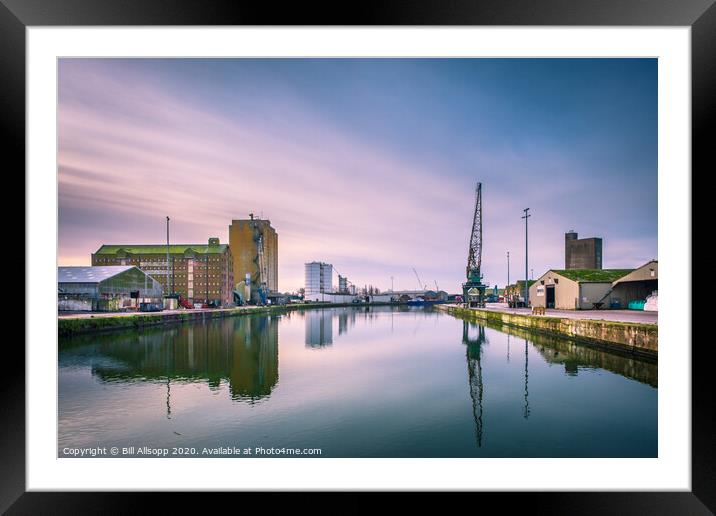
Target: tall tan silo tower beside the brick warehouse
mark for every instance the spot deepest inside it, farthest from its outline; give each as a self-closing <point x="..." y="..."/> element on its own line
<point x="254" y="248"/>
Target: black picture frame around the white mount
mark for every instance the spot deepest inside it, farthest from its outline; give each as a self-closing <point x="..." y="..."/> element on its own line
<point x="700" y="15"/>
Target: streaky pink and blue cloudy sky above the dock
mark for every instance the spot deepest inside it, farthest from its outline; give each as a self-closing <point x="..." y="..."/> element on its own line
<point x="368" y="164"/>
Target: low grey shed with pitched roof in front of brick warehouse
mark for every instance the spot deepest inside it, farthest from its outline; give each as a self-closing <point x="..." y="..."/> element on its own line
<point x="105" y="288"/>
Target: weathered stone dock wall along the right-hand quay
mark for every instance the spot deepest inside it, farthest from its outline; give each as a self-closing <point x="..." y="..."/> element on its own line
<point x="632" y="337"/>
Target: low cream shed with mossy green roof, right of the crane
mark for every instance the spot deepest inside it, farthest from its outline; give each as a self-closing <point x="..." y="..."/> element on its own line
<point x="575" y="289"/>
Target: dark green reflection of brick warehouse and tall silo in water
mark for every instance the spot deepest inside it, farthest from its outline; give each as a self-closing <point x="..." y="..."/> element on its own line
<point x="242" y="351"/>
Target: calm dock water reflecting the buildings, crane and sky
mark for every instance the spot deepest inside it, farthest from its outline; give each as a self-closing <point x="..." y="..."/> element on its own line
<point x="356" y="382"/>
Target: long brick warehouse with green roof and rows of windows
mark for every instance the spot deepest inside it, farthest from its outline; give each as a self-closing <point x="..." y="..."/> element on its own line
<point x="201" y="273"/>
